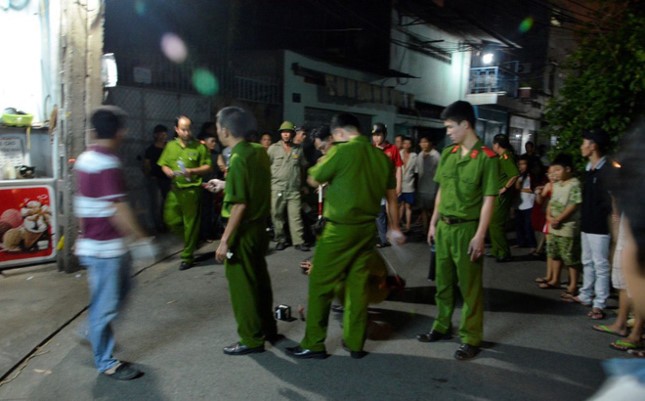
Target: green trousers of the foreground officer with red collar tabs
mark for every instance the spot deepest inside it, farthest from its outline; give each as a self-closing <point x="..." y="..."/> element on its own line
<point x="455" y="268"/>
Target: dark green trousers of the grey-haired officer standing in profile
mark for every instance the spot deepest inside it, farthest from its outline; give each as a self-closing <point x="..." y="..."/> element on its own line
<point x="250" y="285"/>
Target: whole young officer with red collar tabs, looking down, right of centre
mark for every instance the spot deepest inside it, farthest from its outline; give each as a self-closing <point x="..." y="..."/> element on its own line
<point x="467" y="176"/>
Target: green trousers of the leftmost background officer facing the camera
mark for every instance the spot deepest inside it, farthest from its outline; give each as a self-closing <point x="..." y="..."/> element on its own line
<point x="182" y="216"/>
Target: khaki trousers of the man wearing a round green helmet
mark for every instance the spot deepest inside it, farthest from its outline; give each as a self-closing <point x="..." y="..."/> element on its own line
<point x="287" y="204"/>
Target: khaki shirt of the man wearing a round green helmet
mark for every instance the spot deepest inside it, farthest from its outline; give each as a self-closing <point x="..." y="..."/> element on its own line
<point x="286" y="168"/>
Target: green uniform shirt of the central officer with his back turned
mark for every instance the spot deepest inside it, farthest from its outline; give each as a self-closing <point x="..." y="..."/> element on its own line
<point x="358" y="175"/>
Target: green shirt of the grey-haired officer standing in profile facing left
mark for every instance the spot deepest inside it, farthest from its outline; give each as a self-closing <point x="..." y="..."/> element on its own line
<point x="248" y="181"/>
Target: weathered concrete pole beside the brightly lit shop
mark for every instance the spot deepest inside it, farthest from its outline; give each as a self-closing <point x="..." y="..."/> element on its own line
<point x="82" y="91"/>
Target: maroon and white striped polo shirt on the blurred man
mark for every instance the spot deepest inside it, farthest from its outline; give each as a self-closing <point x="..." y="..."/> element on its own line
<point x="99" y="184"/>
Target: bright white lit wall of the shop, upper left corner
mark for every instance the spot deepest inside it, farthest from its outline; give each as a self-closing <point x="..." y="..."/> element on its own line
<point x="29" y="69"/>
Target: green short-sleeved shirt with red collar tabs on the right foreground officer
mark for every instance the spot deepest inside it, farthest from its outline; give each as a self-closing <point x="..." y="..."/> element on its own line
<point x="465" y="180"/>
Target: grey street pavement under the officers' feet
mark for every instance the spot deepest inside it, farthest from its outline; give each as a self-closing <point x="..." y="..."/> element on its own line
<point x="176" y="323"/>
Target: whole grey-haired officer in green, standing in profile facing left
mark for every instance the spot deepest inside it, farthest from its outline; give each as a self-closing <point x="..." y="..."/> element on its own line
<point x="245" y="240"/>
